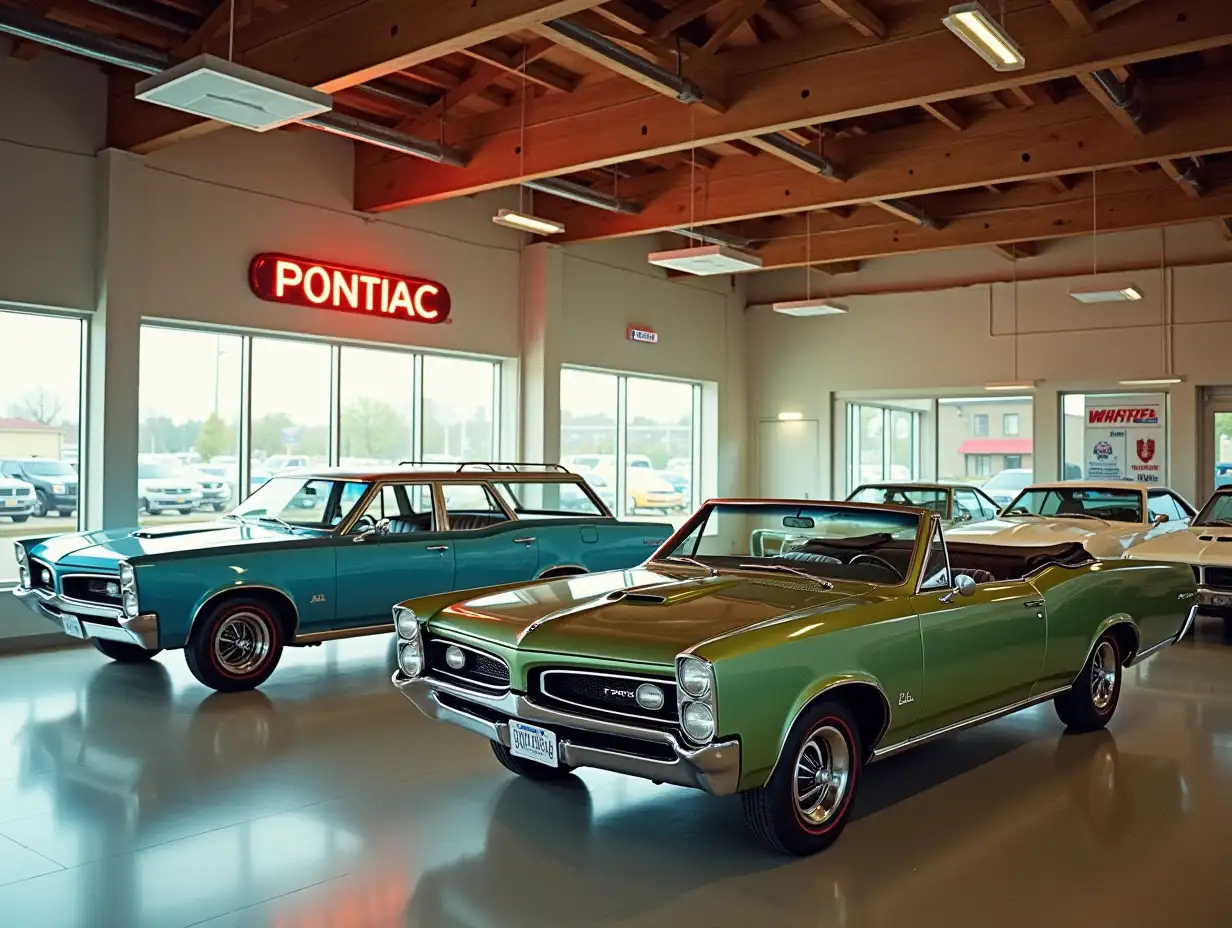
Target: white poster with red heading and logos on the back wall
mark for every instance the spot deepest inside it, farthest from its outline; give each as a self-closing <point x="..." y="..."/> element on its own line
<point x="1127" y="439"/>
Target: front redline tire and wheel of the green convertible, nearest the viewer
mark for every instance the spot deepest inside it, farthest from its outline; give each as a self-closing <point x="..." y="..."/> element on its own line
<point x="783" y="814"/>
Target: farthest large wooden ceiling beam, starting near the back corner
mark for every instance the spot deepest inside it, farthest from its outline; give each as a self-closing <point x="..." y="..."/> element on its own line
<point x="1143" y="209"/>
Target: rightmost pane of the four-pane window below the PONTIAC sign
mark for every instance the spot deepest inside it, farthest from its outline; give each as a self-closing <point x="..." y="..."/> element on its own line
<point x="460" y="410"/>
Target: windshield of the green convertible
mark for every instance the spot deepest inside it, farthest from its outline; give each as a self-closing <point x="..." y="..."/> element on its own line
<point x="826" y="542"/>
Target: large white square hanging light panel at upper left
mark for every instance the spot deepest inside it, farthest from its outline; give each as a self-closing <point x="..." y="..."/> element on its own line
<point x="222" y="91"/>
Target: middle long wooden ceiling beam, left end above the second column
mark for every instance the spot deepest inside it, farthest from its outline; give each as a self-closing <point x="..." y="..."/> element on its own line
<point x="1069" y="139"/>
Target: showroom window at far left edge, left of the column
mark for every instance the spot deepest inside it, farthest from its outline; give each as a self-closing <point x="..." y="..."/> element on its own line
<point x="40" y="428"/>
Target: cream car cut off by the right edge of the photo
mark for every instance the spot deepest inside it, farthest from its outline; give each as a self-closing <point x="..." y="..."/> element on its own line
<point x="1207" y="547"/>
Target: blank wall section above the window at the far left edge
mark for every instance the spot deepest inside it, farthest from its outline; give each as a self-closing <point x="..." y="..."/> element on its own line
<point x="52" y="121"/>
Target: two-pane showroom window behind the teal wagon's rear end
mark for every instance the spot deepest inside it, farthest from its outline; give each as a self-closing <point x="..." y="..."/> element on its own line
<point x="651" y="423"/>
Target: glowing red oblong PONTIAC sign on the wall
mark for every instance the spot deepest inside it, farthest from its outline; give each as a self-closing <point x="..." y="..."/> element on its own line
<point x="299" y="282"/>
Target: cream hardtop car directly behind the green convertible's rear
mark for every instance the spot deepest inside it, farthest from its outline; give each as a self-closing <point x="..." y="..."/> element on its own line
<point x="1106" y="518"/>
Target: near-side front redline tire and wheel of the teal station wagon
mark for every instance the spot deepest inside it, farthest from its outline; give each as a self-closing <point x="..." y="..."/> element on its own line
<point x="236" y="645"/>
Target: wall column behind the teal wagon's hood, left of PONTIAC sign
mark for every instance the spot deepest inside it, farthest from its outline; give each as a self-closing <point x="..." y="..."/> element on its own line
<point x="111" y="416"/>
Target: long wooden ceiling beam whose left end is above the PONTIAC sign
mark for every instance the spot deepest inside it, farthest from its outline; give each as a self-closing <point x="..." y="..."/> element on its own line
<point x="800" y="86"/>
